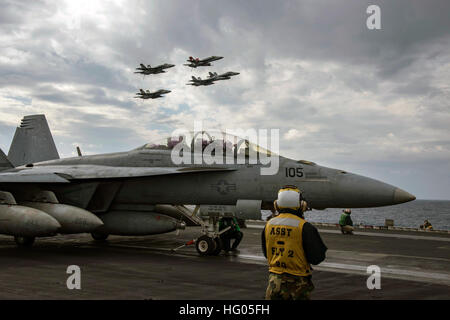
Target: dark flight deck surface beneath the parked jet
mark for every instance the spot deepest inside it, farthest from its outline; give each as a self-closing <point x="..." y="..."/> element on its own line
<point x="145" y="268"/>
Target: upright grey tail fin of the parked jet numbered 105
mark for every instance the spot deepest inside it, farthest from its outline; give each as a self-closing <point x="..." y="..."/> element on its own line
<point x="32" y="142"/>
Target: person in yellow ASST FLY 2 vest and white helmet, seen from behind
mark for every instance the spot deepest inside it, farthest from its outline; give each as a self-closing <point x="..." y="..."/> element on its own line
<point x="291" y="245"/>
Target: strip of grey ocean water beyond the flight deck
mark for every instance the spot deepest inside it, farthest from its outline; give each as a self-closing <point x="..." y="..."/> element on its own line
<point x="410" y="214"/>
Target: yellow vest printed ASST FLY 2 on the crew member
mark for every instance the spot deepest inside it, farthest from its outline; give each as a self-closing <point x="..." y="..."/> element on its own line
<point x="284" y="245"/>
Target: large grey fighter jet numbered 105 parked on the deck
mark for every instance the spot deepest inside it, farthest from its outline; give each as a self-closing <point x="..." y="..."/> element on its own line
<point x="143" y="191"/>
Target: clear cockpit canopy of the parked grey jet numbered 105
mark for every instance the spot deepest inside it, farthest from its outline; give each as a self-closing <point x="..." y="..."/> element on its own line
<point x="199" y="141"/>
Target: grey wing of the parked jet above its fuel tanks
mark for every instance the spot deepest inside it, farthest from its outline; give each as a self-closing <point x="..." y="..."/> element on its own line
<point x="66" y="174"/>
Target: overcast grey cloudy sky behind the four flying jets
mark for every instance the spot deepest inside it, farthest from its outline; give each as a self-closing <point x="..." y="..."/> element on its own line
<point x="373" y="102"/>
